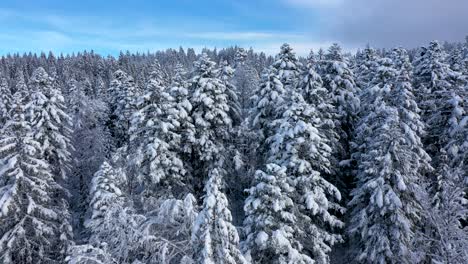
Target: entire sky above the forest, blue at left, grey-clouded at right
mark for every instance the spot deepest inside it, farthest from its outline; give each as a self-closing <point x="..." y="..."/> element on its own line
<point x="143" y="25"/>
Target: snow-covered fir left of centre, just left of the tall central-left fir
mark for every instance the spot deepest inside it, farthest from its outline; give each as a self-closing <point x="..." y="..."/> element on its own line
<point x="155" y="137"/>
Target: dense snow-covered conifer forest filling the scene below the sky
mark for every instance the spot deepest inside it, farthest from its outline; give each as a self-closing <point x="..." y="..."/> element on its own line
<point x="232" y="156"/>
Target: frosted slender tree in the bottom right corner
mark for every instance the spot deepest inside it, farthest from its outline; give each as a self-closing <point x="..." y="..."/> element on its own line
<point x="447" y="239"/>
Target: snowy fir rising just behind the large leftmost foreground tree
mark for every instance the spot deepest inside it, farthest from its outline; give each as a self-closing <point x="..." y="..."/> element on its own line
<point x="50" y="122"/>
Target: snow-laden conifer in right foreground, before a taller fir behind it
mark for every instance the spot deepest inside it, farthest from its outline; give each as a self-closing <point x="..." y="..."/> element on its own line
<point x="384" y="205"/>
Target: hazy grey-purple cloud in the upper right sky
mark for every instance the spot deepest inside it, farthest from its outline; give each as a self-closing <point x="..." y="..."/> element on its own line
<point x="388" y="23"/>
